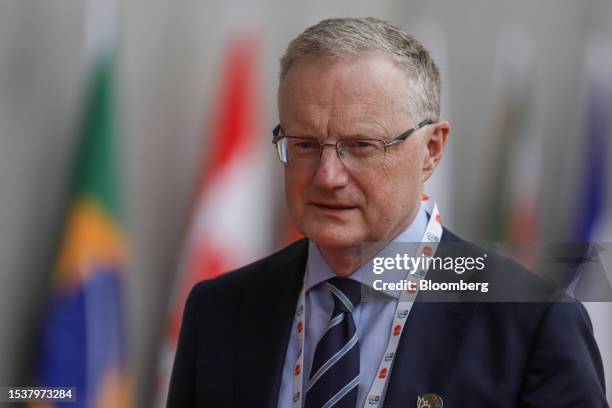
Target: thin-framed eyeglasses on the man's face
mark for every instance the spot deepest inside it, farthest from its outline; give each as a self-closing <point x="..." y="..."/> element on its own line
<point x="306" y="152"/>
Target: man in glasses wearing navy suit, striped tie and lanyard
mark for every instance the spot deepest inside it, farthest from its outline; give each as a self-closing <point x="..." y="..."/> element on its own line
<point x="359" y="134"/>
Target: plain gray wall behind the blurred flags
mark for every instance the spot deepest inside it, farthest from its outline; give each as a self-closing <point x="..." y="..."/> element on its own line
<point x="171" y="57"/>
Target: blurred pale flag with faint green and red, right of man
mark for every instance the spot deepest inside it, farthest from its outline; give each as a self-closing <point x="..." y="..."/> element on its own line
<point x="512" y="213"/>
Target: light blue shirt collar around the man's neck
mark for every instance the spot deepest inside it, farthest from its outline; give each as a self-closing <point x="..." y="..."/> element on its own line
<point x="320" y="271"/>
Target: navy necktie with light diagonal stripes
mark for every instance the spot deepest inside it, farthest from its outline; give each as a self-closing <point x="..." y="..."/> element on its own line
<point x="334" y="376"/>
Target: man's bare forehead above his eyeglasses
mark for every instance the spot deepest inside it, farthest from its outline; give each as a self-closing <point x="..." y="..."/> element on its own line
<point x="345" y="91"/>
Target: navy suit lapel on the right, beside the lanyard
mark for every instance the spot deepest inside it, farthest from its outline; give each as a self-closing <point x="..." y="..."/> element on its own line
<point x="429" y="345"/>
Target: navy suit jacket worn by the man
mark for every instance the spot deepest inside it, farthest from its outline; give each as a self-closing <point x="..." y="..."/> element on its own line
<point x="236" y="329"/>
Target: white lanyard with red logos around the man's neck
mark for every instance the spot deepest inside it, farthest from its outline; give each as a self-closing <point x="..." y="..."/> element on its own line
<point x="427" y="247"/>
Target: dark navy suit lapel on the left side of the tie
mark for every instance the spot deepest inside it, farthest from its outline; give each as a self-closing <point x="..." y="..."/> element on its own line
<point x="267" y="313"/>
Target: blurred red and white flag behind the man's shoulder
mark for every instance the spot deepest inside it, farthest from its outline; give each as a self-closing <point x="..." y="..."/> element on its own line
<point x="230" y="223"/>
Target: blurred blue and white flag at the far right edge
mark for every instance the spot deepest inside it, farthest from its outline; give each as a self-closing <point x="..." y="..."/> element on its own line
<point x="593" y="217"/>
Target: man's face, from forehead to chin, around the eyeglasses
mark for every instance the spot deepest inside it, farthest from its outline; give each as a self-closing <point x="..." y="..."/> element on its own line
<point x="339" y="207"/>
